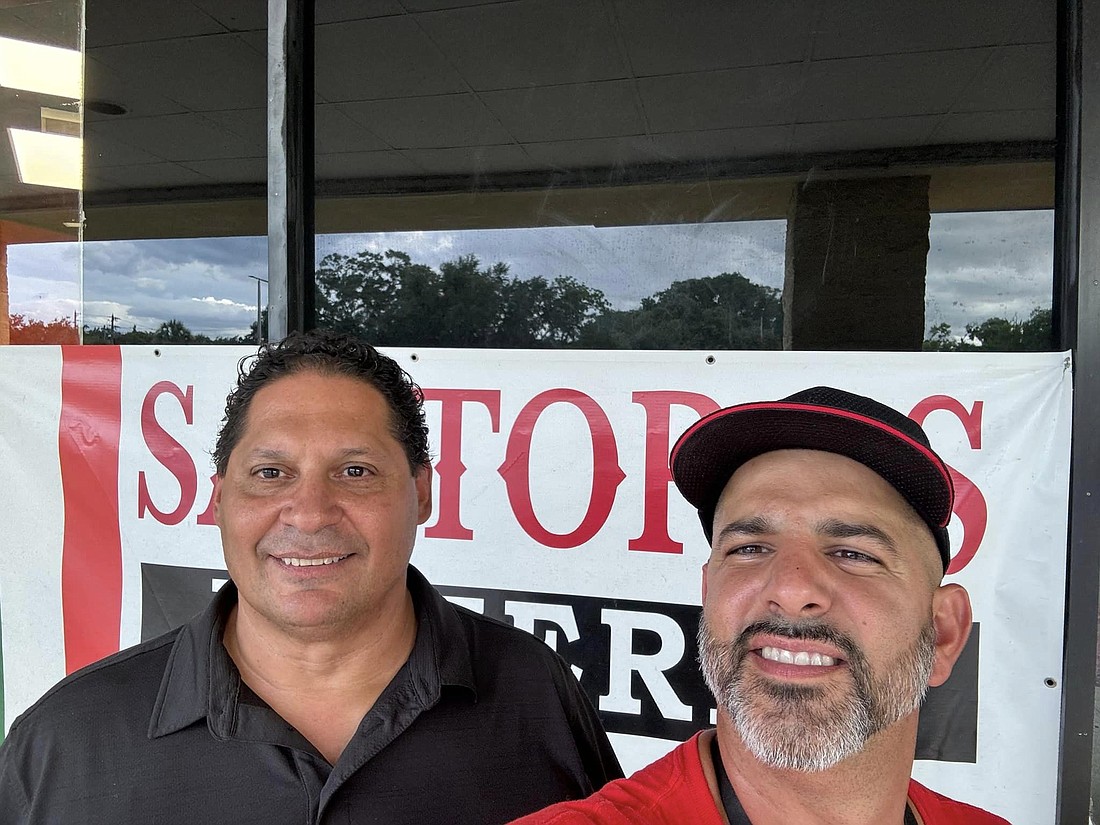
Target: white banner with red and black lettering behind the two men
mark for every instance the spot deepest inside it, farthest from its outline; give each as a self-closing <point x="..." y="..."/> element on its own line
<point x="554" y="511"/>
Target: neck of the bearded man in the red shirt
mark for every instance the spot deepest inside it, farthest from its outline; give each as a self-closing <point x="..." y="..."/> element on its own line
<point x="867" y="789"/>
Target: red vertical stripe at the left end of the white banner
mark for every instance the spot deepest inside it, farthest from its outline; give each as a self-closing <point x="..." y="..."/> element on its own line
<point x="89" y="447"/>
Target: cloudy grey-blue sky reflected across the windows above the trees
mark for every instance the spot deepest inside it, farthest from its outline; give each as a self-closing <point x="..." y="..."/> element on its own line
<point x="980" y="266"/>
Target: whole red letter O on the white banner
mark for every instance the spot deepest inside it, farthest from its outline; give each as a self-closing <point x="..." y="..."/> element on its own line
<point x="607" y="474"/>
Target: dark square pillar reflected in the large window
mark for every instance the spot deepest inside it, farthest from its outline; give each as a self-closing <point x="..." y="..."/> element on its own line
<point x="856" y="260"/>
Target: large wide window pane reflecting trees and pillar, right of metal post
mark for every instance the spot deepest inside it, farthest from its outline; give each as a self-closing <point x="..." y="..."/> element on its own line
<point x="876" y="161"/>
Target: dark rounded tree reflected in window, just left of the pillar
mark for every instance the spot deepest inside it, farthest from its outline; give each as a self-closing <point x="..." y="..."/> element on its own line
<point x="725" y="312"/>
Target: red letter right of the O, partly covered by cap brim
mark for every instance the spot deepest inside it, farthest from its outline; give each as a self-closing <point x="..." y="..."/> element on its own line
<point x="658" y="405"/>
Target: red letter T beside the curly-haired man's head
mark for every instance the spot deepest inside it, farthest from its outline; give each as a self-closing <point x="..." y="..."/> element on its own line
<point x="450" y="467"/>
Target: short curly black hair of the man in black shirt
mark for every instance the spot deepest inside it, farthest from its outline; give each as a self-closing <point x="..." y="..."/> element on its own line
<point x="328" y="354"/>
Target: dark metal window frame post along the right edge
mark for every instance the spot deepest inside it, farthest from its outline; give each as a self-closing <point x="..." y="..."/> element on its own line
<point x="1077" y="320"/>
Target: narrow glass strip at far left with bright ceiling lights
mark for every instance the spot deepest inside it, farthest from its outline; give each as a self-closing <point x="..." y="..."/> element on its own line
<point x="41" y="171"/>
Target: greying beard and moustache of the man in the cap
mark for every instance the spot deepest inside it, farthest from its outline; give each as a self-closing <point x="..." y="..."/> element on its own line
<point x="807" y="728"/>
